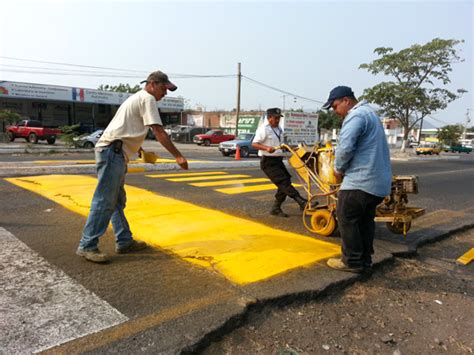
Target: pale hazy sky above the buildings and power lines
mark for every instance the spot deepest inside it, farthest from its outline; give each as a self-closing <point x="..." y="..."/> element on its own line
<point x="300" y="47"/>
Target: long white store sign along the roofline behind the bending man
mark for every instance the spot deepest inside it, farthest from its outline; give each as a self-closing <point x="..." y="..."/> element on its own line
<point x="61" y="93"/>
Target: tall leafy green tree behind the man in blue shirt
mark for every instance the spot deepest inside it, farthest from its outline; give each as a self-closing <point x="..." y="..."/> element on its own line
<point x="420" y="72"/>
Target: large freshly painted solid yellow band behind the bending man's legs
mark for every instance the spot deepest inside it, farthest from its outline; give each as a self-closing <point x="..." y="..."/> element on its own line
<point x="243" y="251"/>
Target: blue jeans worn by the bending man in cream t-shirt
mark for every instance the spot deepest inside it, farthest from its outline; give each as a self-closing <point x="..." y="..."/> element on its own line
<point x="108" y="202"/>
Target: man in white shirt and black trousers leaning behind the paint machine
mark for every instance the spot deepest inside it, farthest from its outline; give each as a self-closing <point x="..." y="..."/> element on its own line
<point x="268" y="136"/>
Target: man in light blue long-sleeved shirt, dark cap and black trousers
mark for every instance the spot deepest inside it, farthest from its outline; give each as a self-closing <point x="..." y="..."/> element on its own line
<point x="363" y="163"/>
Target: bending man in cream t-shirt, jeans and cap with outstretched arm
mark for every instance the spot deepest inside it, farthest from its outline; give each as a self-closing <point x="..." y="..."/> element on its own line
<point x="121" y="140"/>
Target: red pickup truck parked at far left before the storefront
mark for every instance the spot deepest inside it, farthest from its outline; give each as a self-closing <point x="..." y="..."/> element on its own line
<point x="32" y="131"/>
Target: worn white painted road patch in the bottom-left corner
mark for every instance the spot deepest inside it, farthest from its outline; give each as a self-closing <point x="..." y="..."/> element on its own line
<point x="41" y="306"/>
